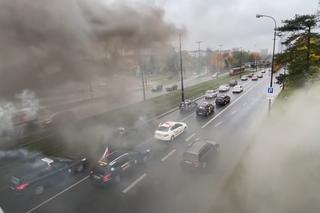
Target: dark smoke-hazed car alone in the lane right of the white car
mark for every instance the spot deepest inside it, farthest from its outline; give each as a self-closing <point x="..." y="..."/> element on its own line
<point x="199" y="154"/>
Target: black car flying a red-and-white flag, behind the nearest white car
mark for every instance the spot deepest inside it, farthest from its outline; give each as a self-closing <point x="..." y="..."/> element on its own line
<point x="116" y="165"/>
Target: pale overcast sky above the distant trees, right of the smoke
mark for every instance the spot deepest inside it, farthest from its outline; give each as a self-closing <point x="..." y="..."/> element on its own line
<point x="232" y="23"/>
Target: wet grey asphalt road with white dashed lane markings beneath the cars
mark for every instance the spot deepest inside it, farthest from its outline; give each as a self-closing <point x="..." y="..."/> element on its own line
<point x="162" y="186"/>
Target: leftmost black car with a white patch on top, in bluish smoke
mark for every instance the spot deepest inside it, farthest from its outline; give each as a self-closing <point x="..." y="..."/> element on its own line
<point x="35" y="176"/>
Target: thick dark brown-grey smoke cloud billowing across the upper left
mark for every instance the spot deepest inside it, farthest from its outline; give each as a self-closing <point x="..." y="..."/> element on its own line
<point x="46" y="42"/>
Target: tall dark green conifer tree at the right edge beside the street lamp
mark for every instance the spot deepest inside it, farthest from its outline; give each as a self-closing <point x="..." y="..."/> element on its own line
<point x="303" y="48"/>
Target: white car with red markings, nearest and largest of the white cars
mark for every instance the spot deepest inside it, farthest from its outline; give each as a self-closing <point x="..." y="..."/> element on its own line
<point x="169" y="130"/>
